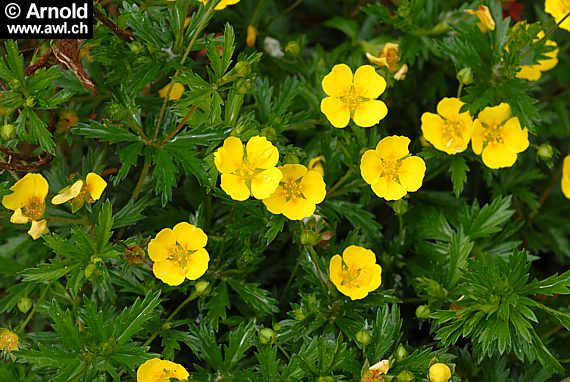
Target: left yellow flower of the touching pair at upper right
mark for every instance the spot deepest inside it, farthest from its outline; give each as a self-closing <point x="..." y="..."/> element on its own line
<point x="448" y="130"/>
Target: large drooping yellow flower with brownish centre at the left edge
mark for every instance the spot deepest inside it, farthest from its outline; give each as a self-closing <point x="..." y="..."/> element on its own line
<point x="28" y="199"/>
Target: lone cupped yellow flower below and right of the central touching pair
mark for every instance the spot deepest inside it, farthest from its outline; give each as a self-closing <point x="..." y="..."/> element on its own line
<point x="356" y="273"/>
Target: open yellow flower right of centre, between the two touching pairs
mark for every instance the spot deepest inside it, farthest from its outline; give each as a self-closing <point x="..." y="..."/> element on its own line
<point x="391" y="170"/>
